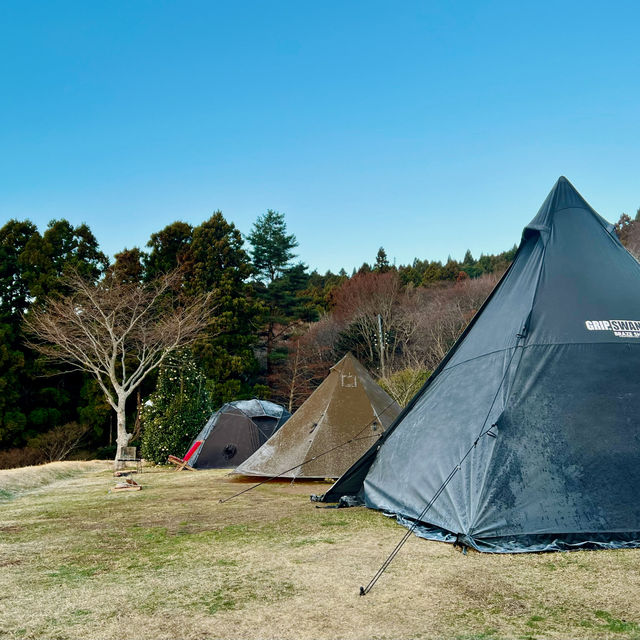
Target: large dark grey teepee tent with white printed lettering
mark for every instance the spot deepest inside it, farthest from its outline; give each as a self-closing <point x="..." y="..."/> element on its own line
<point x="552" y="361"/>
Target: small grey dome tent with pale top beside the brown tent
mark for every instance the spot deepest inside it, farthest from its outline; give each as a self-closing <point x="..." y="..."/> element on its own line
<point x="235" y="431"/>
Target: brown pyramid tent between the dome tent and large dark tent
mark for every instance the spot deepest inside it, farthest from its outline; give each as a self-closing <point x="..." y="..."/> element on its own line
<point x="331" y="430"/>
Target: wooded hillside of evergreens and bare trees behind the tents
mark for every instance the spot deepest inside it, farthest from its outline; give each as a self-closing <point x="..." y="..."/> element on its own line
<point x="278" y="327"/>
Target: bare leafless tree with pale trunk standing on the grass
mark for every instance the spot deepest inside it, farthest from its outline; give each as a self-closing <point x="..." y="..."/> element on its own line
<point x="118" y="332"/>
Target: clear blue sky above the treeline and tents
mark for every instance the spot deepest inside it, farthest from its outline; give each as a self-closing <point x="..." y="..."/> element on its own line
<point x="424" y="127"/>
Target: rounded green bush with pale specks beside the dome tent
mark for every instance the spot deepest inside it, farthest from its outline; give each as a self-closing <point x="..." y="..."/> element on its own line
<point x="176" y="411"/>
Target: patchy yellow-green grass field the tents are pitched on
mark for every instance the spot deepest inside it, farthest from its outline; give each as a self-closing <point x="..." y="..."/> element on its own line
<point x="77" y="561"/>
